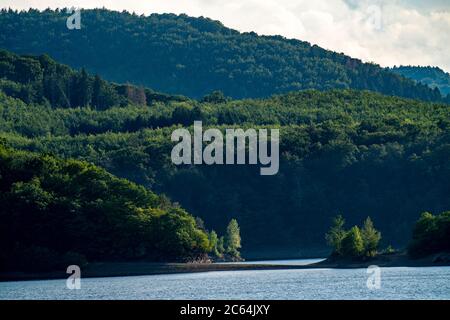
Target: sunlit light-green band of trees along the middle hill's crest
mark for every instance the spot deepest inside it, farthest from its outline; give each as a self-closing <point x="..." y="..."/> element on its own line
<point x="376" y="115"/>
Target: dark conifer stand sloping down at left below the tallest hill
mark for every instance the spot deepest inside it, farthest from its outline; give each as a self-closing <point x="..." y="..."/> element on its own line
<point x="41" y="80"/>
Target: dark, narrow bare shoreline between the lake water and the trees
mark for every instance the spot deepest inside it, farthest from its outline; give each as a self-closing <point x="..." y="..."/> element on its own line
<point x="124" y="269"/>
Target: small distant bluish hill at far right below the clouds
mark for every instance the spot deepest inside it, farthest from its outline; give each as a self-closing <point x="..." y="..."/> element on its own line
<point x="431" y="76"/>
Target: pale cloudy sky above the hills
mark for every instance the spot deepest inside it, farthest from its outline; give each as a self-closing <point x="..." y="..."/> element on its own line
<point x="388" y="32"/>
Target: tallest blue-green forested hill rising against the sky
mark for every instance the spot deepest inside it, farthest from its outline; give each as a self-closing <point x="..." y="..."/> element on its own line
<point x="194" y="56"/>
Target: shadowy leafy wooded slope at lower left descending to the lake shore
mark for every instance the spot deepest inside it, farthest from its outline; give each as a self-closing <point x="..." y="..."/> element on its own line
<point x="55" y="213"/>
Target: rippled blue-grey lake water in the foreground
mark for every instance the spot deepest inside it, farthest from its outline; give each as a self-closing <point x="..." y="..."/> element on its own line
<point x="396" y="283"/>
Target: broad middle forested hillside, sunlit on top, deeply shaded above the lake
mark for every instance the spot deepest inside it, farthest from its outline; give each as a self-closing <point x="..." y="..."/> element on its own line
<point x="349" y="152"/>
